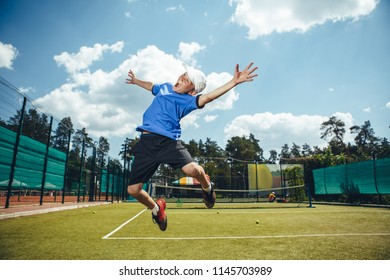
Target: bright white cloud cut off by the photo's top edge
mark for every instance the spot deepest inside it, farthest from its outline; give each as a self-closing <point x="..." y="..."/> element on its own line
<point x="263" y="17"/>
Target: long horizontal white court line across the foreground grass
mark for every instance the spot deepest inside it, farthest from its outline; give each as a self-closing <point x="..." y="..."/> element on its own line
<point x="250" y="237"/>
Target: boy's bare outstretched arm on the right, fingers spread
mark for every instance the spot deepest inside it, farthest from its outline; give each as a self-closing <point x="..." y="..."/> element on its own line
<point x="245" y="75"/>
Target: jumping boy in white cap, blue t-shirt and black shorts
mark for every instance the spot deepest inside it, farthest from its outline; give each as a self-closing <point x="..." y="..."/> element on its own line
<point x="160" y="133"/>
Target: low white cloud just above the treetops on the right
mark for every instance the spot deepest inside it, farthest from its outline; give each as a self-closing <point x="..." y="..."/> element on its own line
<point x="275" y="130"/>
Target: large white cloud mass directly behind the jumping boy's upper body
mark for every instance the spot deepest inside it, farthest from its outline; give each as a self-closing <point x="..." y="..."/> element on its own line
<point x="102" y="102"/>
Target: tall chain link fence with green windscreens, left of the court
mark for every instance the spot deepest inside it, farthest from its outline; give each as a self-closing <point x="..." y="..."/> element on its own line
<point x="46" y="160"/>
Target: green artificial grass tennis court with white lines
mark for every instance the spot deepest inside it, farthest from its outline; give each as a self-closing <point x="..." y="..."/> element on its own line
<point x="230" y="231"/>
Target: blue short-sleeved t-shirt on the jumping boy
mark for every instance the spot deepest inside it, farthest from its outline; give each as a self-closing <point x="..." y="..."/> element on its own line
<point x="167" y="109"/>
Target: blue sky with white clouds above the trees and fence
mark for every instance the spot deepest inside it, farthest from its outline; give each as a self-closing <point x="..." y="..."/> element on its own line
<point x="316" y="59"/>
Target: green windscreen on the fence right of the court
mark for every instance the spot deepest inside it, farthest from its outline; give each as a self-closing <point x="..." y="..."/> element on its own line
<point x="368" y="177"/>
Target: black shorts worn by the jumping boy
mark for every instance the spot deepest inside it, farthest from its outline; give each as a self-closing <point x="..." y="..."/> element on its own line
<point x="151" y="151"/>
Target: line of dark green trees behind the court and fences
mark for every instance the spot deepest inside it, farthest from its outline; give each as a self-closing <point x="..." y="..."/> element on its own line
<point x="227" y="165"/>
